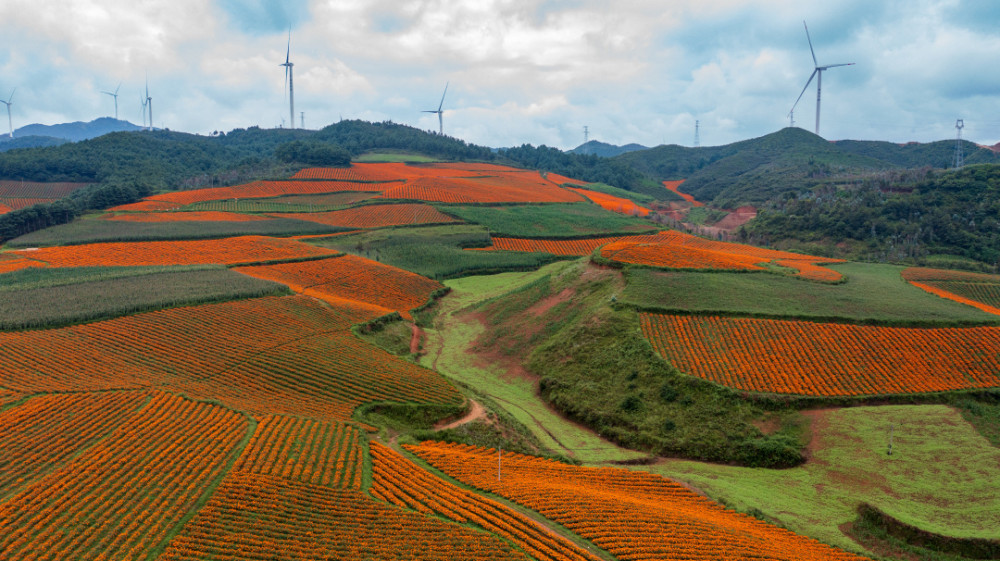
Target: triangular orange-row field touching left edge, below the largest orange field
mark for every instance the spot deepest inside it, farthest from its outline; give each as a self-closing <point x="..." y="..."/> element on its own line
<point x="48" y="430"/>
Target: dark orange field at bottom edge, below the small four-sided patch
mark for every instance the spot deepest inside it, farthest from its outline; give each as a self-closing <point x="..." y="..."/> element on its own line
<point x="259" y="518"/>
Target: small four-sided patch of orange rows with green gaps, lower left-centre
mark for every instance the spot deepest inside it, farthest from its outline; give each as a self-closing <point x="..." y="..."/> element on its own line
<point x="304" y="450"/>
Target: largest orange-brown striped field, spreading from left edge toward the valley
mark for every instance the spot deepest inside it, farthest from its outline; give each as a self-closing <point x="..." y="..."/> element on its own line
<point x="278" y="355"/>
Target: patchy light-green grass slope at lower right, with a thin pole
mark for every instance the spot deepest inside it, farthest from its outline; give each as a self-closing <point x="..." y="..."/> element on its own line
<point x="941" y="476"/>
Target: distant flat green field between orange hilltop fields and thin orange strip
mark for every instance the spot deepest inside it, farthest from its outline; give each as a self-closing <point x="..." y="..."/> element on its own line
<point x="569" y="220"/>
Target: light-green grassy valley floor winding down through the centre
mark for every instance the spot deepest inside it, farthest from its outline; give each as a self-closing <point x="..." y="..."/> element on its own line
<point x="447" y="352"/>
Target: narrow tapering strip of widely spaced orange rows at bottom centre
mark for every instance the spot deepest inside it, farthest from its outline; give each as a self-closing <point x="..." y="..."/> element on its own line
<point x="399" y="481"/>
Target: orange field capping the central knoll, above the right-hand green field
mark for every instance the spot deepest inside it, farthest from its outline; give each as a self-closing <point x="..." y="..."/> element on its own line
<point x="684" y="251"/>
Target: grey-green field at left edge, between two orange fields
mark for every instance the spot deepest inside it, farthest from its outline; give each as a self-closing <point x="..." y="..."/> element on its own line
<point x="44" y="298"/>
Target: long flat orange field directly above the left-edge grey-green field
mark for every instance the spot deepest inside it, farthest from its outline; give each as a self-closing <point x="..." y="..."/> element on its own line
<point x="228" y="251"/>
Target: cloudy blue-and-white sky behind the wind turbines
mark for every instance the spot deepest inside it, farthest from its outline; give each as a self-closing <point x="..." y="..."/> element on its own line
<point x="518" y="71"/>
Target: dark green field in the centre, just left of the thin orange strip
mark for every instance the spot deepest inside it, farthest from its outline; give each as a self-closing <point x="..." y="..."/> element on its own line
<point x="436" y="252"/>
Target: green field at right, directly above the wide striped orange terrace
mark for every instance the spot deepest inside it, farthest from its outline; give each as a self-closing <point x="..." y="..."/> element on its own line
<point x="872" y="293"/>
